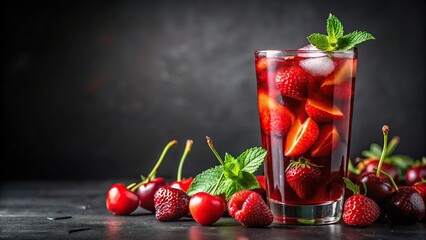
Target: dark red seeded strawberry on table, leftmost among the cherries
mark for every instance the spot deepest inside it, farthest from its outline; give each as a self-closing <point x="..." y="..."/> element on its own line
<point x="170" y="204"/>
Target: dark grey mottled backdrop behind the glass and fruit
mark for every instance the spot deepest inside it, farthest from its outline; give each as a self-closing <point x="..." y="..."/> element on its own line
<point x="96" y="89"/>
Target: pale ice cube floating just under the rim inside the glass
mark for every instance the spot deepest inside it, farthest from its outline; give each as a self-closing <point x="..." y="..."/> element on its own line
<point x="319" y="66"/>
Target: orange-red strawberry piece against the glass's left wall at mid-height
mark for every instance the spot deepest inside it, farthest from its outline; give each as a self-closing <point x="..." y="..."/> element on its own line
<point x="274" y="118"/>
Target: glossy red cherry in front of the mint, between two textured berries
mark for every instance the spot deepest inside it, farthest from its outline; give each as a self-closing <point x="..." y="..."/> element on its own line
<point x="205" y="208"/>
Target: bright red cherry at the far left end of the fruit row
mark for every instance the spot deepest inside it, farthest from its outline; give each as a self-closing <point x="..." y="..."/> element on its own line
<point x="120" y="200"/>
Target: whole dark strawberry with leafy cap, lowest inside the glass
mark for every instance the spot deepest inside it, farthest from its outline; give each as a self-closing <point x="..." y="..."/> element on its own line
<point x="303" y="177"/>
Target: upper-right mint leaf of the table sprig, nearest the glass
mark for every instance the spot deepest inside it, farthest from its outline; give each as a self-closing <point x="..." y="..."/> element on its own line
<point x="251" y="159"/>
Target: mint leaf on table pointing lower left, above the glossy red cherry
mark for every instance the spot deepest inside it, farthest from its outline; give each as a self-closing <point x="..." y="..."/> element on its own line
<point x="205" y="181"/>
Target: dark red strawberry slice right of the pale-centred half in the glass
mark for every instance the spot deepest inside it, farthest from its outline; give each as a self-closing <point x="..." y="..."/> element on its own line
<point x="327" y="141"/>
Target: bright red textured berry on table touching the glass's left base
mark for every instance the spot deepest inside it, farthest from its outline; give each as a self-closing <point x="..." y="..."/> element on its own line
<point x="248" y="208"/>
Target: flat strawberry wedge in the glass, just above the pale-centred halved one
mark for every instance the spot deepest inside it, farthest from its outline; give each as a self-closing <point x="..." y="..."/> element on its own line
<point x="322" y="111"/>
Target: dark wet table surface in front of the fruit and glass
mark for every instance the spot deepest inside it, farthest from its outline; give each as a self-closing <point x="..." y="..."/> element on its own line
<point x="26" y="206"/>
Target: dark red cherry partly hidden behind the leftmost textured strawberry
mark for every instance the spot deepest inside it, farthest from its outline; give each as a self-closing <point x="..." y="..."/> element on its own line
<point x="146" y="193"/>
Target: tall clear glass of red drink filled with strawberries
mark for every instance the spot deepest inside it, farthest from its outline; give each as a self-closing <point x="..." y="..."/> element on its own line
<point x="305" y="107"/>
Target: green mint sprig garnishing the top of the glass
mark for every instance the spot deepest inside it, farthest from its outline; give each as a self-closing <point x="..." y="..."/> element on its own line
<point x="335" y="40"/>
